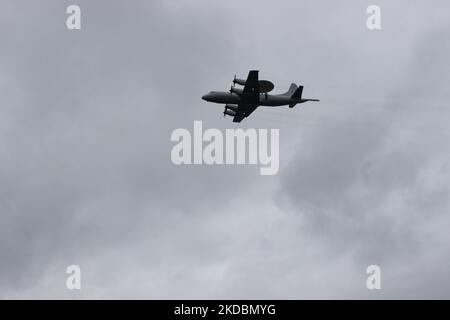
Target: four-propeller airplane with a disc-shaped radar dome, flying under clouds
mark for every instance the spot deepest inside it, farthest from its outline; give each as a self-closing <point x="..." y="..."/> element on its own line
<point x="240" y="103"/>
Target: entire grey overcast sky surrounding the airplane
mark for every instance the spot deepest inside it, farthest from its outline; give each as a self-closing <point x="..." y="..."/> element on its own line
<point x="86" y="176"/>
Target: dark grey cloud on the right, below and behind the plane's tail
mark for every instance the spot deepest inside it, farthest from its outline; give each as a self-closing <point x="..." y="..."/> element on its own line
<point x="371" y="184"/>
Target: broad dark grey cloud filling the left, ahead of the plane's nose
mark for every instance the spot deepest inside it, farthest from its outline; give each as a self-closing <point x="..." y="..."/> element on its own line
<point x="90" y="128"/>
